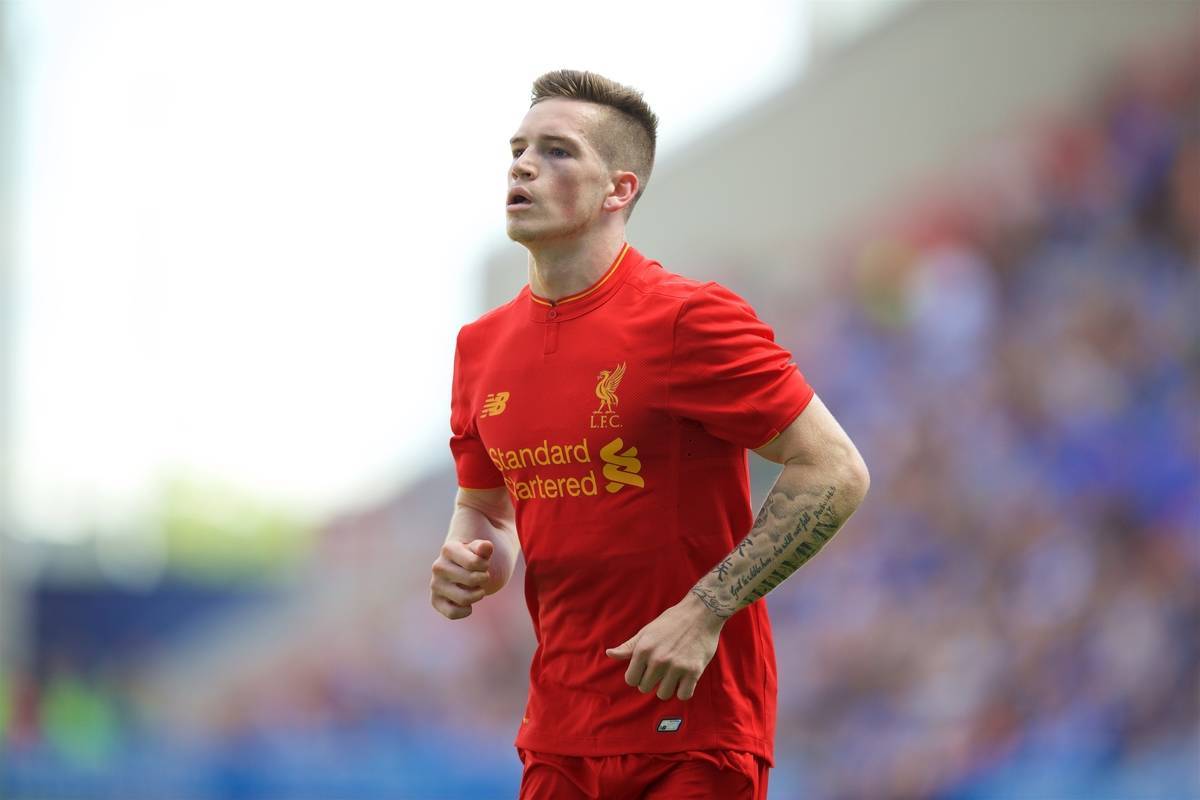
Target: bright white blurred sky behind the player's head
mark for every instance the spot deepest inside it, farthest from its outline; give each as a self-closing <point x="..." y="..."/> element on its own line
<point x="247" y="233"/>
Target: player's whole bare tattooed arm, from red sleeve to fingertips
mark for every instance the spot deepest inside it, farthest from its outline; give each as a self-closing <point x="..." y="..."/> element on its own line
<point x="823" y="483"/>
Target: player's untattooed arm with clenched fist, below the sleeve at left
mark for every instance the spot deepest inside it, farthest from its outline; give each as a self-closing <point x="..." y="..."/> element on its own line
<point x="479" y="554"/>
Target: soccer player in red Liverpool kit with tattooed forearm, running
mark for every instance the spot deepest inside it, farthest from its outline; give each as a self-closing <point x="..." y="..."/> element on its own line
<point x="601" y="424"/>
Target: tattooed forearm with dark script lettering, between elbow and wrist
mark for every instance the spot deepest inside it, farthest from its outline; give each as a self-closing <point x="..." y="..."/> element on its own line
<point x="791" y="528"/>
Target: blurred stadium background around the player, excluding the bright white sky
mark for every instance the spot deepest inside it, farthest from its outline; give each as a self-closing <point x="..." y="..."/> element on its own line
<point x="977" y="225"/>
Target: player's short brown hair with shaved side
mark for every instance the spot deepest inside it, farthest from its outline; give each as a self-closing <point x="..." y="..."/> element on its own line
<point x="627" y="130"/>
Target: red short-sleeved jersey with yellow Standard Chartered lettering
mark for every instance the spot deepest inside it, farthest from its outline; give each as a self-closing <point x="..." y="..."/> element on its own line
<point x="620" y="420"/>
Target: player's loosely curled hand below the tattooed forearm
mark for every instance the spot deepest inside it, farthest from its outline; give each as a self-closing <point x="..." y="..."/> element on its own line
<point x="673" y="652"/>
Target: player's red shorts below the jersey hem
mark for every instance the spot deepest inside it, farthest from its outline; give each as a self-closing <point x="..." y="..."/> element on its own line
<point x="693" y="774"/>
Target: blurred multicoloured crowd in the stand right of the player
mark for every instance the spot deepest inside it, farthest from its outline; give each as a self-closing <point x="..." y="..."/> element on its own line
<point x="1016" y="611"/>
